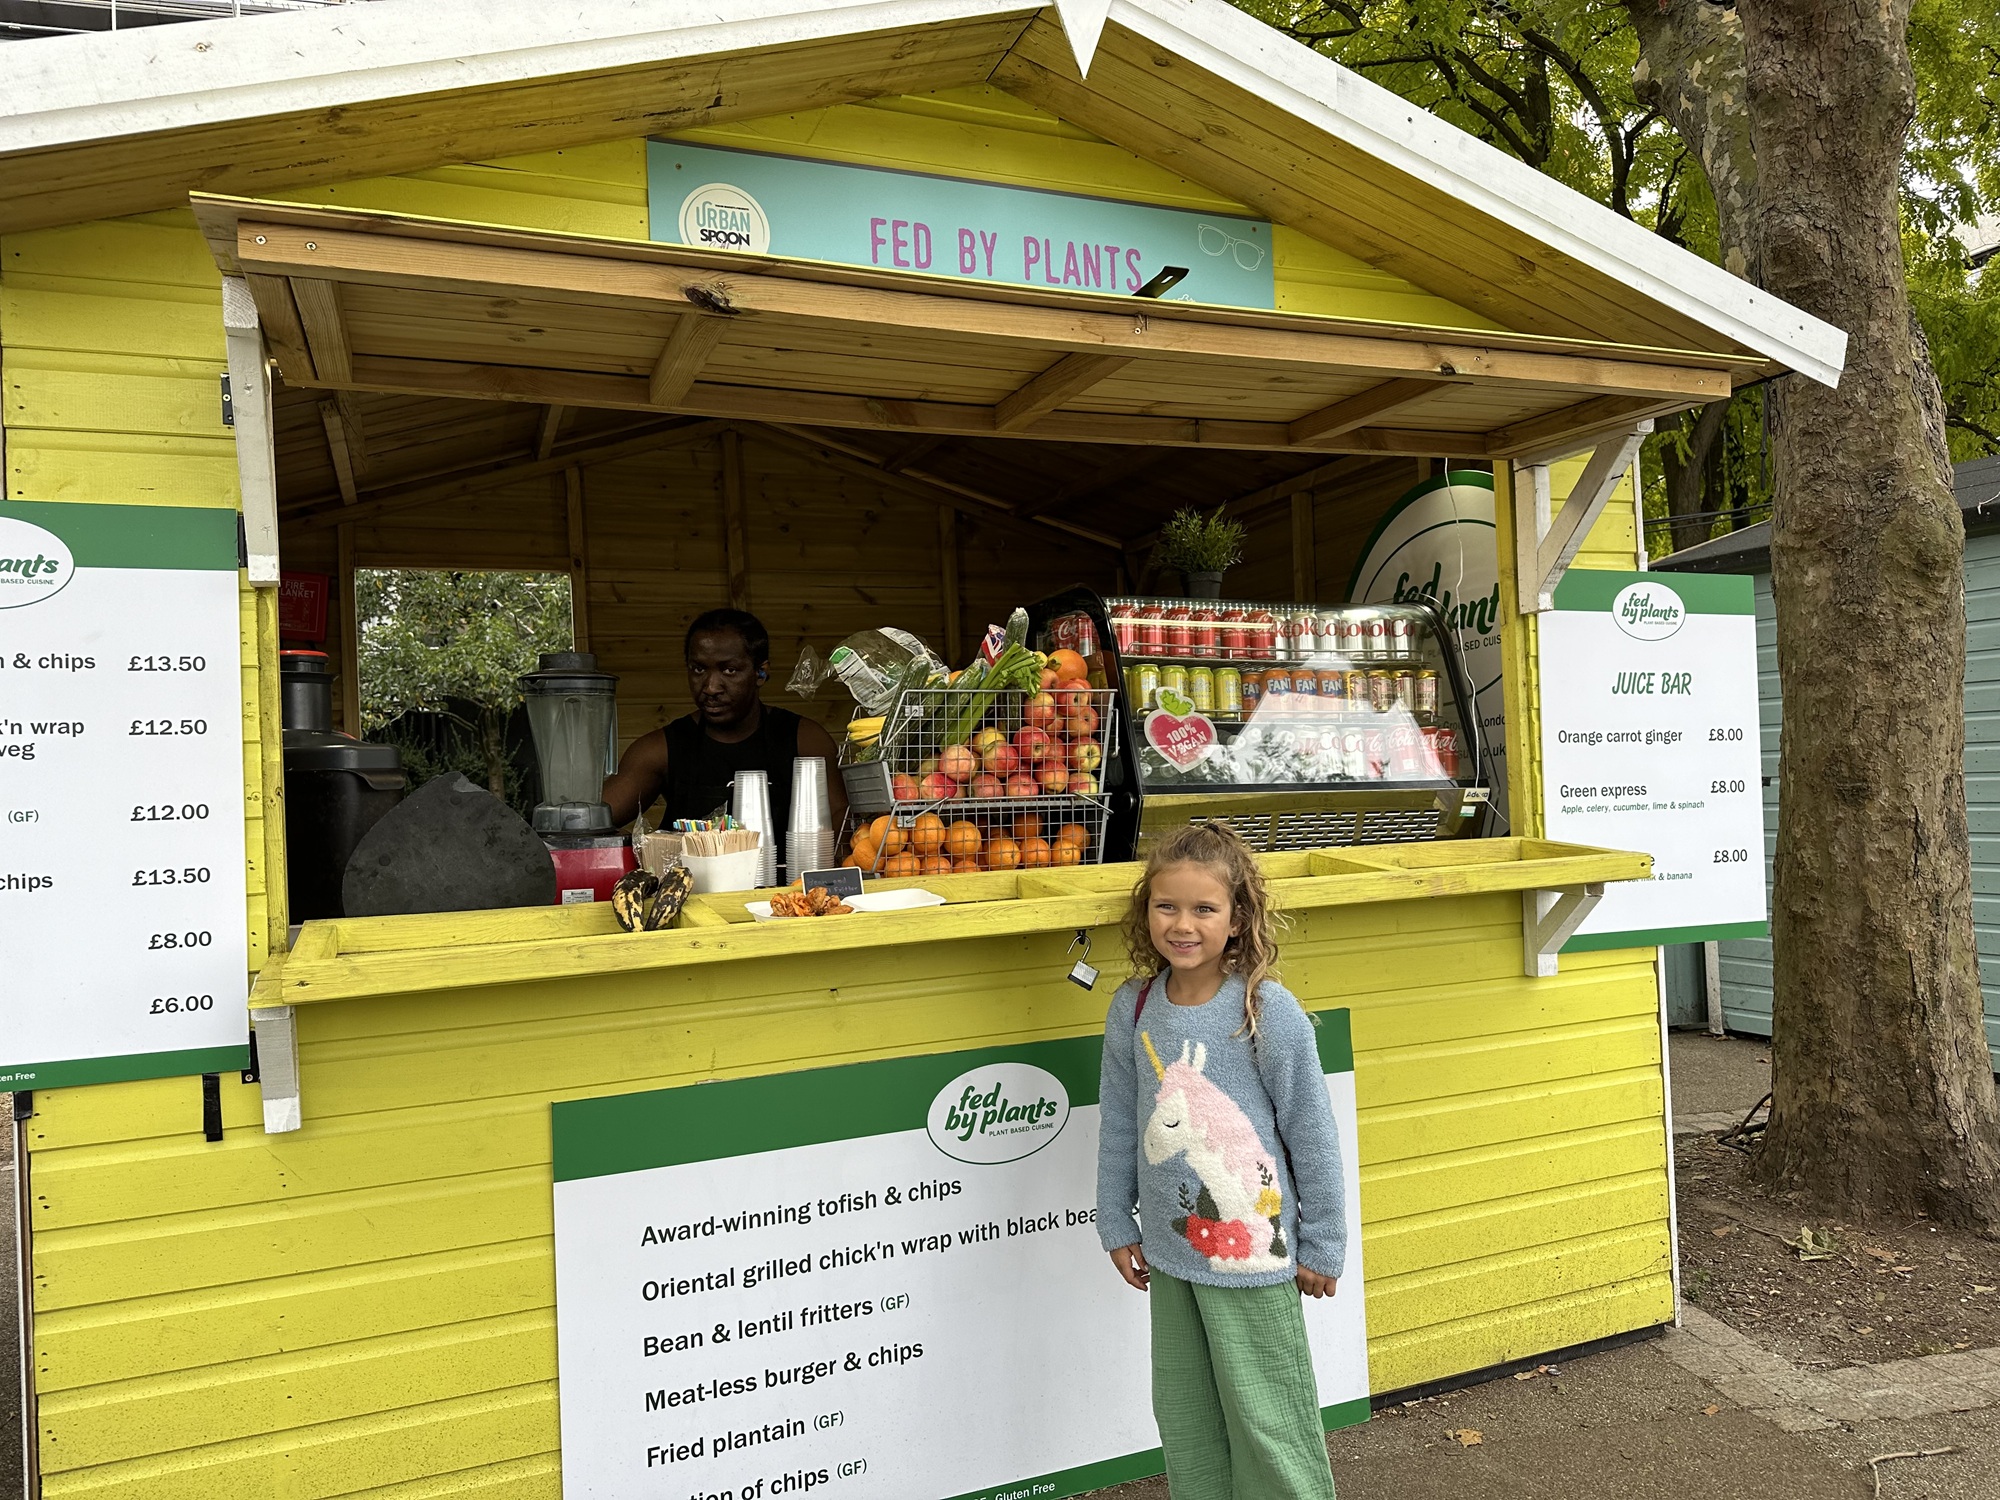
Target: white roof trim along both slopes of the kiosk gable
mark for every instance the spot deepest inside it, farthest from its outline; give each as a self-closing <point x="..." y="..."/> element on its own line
<point x="161" y="79"/>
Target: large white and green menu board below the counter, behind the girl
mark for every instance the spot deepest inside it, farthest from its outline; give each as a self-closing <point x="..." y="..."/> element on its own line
<point x="877" y="1281"/>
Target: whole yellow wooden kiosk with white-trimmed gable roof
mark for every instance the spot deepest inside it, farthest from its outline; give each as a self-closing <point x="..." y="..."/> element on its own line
<point x="419" y="243"/>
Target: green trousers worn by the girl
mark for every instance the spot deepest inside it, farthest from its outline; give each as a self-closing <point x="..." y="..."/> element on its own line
<point x="1233" y="1393"/>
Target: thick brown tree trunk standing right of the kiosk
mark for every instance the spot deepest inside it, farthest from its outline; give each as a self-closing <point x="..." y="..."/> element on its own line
<point x="1885" y="1095"/>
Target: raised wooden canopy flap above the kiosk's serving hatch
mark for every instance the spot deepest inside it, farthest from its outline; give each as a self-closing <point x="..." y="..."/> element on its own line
<point x="355" y="301"/>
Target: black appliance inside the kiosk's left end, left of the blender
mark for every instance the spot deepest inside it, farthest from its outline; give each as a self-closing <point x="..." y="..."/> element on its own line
<point x="335" y="787"/>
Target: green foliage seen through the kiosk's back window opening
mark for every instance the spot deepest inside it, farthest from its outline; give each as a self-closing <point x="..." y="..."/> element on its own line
<point x="453" y="645"/>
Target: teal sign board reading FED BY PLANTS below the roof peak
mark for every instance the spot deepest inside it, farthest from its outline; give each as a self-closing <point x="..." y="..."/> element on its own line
<point x="945" y="227"/>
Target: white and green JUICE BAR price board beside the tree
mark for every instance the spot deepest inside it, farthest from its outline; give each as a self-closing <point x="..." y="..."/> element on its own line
<point x="1651" y="743"/>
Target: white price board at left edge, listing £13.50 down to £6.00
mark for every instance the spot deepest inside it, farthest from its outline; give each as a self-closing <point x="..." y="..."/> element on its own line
<point x="121" y="795"/>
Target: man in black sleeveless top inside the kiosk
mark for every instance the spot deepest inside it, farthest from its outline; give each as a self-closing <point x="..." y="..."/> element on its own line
<point x="695" y="759"/>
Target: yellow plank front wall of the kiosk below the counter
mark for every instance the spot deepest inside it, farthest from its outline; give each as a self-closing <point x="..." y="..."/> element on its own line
<point x="367" y="1307"/>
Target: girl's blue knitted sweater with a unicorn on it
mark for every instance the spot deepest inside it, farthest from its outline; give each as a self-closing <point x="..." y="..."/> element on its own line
<point x="1193" y="1119"/>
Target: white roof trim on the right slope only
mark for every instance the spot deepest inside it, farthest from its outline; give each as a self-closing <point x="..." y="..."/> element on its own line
<point x="1387" y="127"/>
